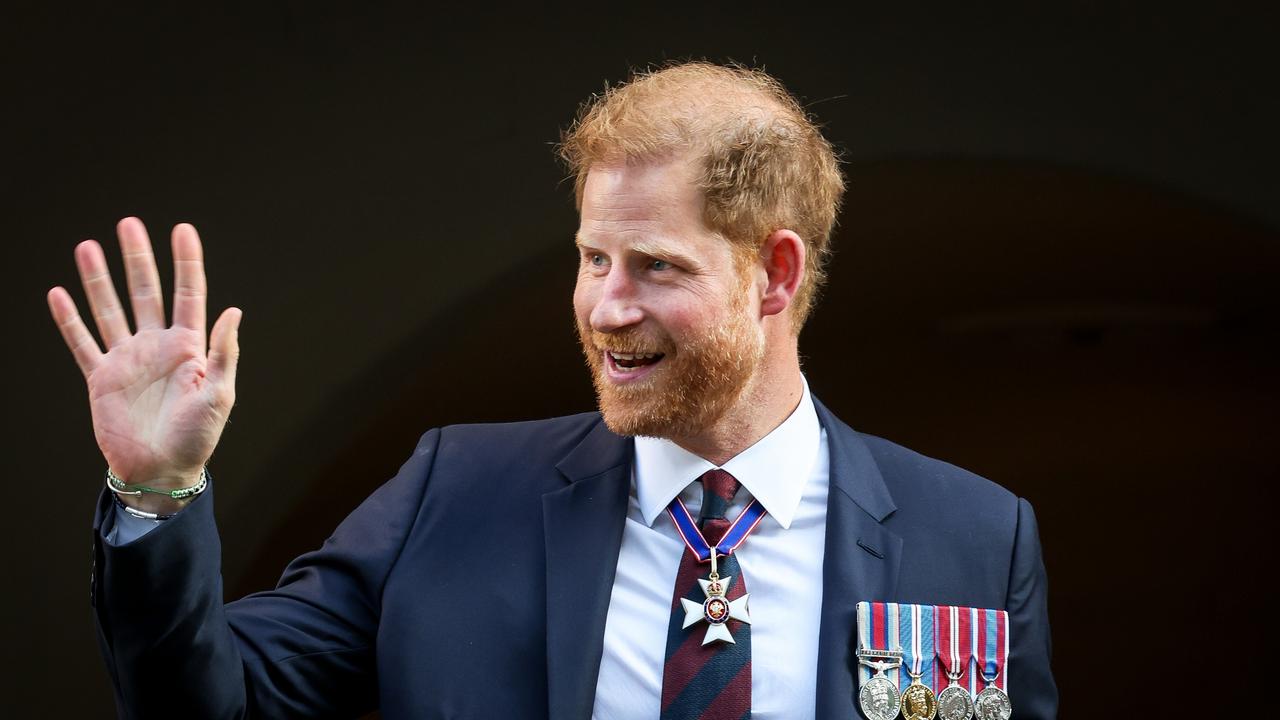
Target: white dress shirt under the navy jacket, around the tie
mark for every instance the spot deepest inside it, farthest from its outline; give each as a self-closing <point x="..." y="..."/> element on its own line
<point x="788" y="472"/>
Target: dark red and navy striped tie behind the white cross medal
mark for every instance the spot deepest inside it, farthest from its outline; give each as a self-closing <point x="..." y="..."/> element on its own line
<point x="711" y="682"/>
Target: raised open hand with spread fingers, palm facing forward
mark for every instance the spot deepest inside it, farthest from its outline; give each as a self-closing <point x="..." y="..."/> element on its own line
<point x="159" y="402"/>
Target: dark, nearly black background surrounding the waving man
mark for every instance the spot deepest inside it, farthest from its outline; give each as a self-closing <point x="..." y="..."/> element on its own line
<point x="1057" y="267"/>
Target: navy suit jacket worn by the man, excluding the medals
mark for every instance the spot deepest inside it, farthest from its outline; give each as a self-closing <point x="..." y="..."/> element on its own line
<point x="476" y="584"/>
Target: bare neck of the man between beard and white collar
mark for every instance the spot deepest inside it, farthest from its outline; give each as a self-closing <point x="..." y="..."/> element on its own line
<point x="767" y="402"/>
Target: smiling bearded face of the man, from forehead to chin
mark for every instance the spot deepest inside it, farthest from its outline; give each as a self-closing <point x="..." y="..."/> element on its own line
<point x="666" y="316"/>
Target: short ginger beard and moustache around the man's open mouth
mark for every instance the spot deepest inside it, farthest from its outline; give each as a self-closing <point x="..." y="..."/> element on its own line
<point x="696" y="384"/>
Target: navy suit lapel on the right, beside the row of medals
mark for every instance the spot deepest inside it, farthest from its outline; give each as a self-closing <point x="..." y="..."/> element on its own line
<point x="861" y="563"/>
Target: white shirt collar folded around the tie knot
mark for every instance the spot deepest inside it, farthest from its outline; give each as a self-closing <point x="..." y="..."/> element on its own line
<point x="774" y="471"/>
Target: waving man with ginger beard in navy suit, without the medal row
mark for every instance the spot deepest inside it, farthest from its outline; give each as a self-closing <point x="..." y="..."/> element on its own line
<point x="556" y="569"/>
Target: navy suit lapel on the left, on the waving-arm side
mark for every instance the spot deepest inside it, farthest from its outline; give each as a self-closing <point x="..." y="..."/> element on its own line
<point x="583" y="525"/>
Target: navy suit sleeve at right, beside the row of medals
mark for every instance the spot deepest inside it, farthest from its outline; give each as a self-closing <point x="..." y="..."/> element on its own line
<point x="1031" y="680"/>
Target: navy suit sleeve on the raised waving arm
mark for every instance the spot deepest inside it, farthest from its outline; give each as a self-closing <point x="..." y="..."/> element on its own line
<point x="305" y="649"/>
